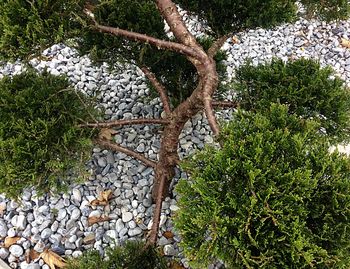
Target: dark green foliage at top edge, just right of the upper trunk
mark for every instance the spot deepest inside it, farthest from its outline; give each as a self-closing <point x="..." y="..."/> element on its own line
<point x="240" y="15"/>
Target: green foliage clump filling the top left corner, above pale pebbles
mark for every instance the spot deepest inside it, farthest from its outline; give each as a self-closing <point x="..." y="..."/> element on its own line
<point x="28" y="27"/>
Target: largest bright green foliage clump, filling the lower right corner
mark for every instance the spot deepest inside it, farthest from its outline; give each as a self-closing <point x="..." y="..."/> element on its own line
<point x="271" y="197"/>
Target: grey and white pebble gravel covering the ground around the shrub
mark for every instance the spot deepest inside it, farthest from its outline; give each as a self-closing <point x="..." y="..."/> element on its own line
<point x="60" y="222"/>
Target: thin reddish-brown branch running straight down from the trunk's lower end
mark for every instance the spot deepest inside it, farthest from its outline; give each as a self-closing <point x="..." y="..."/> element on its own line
<point x="157" y="211"/>
